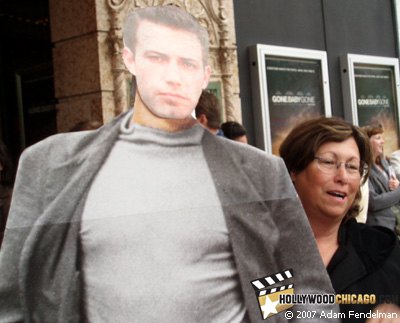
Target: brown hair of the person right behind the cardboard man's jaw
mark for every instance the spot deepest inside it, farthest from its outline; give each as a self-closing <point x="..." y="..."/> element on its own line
<point x="209" y="106"/>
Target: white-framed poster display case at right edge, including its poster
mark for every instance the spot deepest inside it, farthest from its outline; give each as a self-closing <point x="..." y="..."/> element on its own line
<point x="371" y="94"/>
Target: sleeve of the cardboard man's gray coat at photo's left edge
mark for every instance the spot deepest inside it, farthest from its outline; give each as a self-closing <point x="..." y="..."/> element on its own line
<point x="26" y="206"/>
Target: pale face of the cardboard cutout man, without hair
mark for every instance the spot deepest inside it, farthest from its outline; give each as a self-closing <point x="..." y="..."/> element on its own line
<point x="168" y="65"/>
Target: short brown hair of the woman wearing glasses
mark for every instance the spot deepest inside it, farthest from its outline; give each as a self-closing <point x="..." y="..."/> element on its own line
<point x="300" y="146"/>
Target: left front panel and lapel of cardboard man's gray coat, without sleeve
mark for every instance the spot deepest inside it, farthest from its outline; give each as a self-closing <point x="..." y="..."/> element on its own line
<point x="50" y="257"/>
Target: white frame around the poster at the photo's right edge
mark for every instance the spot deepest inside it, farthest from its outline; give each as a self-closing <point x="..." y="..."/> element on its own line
<point x="347" y="64"/>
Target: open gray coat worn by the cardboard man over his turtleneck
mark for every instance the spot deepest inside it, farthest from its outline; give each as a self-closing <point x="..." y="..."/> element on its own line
<point x="40" y="277"/>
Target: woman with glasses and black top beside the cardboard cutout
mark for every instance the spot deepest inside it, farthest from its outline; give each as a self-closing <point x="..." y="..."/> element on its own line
<point x="328" y="159"/>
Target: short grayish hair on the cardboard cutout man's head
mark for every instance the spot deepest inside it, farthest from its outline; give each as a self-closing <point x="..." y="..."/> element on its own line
<point x="170" y="16"/>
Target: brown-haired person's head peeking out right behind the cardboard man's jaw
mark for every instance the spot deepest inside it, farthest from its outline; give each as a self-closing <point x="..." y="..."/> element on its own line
<point x="208" y="113"/>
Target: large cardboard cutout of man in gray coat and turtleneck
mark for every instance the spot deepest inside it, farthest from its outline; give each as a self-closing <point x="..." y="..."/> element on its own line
<point x="152" y="218"/>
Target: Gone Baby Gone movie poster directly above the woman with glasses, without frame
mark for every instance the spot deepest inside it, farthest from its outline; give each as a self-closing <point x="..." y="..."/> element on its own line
<point x="295" y="93"/>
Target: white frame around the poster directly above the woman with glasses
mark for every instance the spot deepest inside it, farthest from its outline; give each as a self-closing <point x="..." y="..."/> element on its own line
<point x="257" y="55"/>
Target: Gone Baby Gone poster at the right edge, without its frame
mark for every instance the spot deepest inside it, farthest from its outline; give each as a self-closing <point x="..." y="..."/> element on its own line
<point x="376" y="102"/>
